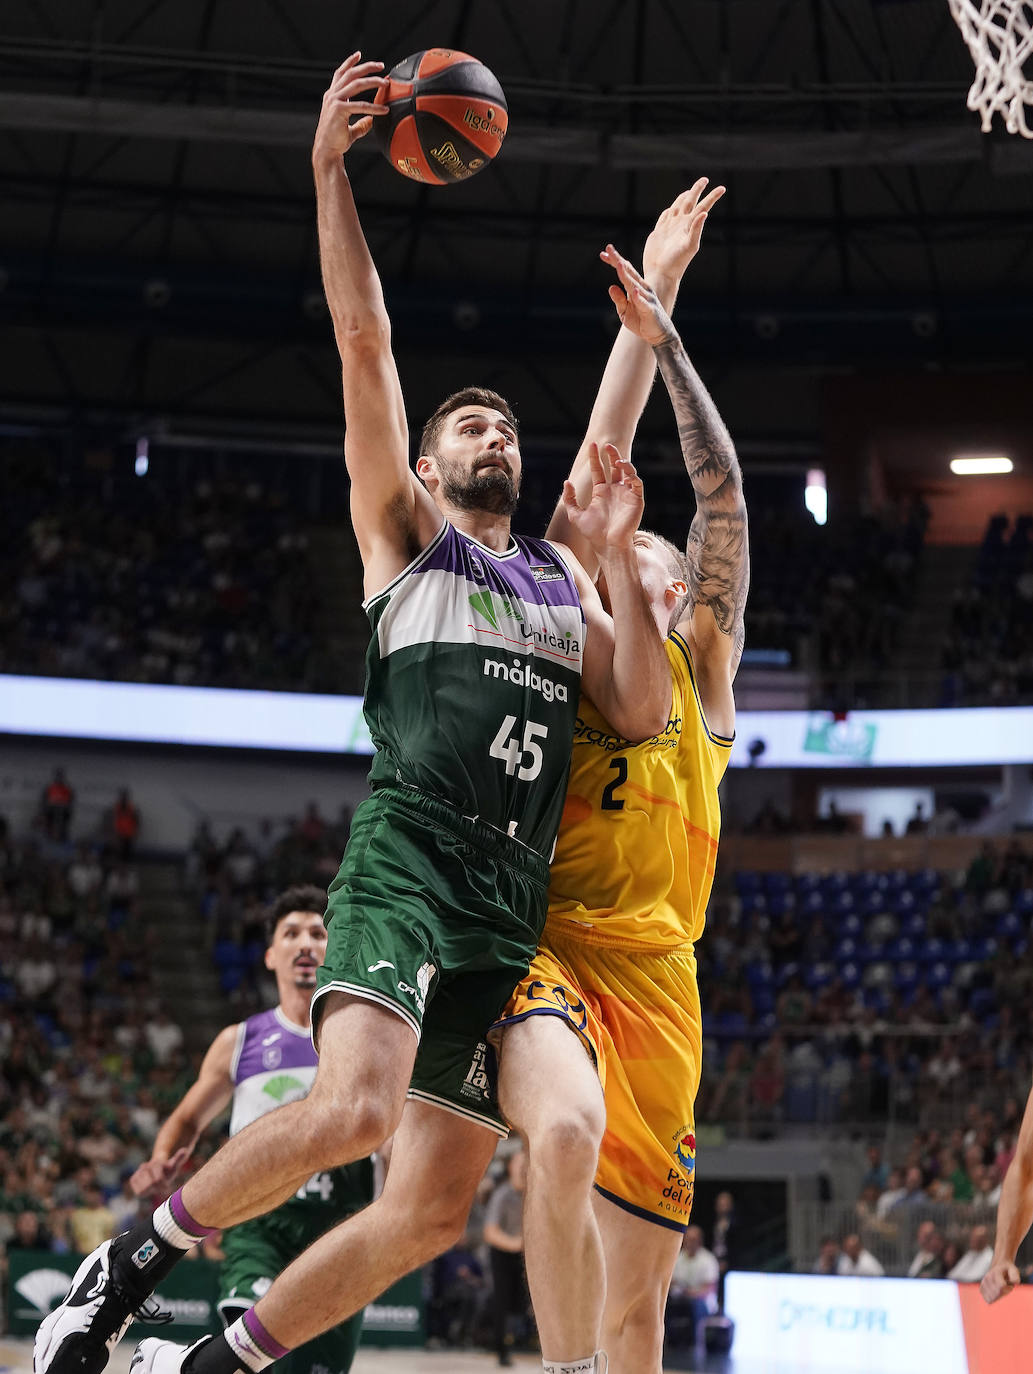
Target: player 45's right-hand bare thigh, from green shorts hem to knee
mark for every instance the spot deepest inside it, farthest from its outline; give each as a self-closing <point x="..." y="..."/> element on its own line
<point x="438" y="1160"/>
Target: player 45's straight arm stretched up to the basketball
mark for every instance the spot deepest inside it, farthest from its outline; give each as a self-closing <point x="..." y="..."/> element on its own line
<point x="391" y="512"/>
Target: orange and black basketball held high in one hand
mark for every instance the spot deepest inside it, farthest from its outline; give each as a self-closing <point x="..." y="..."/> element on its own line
<point x="449" y="117"/>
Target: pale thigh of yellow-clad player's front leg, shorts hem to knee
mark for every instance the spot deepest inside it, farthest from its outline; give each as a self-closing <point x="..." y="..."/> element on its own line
<point x="547" y="1077"/>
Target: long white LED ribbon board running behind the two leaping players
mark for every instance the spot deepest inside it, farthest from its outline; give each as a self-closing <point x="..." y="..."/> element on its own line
<point x="150" y="714"/>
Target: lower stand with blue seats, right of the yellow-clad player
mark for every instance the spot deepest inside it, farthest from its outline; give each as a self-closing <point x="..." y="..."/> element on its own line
<point x="862" y="997"/>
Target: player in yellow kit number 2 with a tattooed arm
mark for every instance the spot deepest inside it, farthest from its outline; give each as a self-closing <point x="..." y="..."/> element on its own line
<point x="628" y="891"/>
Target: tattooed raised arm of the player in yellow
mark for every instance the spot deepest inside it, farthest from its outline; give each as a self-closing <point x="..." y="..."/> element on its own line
<point x="718" y="549"/>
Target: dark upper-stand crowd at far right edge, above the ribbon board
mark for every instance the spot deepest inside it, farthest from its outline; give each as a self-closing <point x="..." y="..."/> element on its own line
<point x="988" y="656"/>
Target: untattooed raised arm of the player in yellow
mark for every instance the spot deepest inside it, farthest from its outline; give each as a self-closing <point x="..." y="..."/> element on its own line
<point x="633" y="366"/>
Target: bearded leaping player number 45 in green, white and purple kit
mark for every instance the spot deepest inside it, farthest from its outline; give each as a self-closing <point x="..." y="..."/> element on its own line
<point x="442" y="895"/>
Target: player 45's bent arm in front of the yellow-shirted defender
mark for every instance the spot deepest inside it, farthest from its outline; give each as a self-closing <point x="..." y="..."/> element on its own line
<point x="626" y="670"/>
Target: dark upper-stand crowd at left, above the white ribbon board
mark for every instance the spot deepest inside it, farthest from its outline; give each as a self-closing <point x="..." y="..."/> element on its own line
<point x="200" y="581"/>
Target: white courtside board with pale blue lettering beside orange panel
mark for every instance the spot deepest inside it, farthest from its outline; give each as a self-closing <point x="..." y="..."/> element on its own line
<point x="826" y="1325"/>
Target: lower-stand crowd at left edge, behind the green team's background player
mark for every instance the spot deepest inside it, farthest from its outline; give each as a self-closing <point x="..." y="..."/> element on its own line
<point x="90" y="1061"/>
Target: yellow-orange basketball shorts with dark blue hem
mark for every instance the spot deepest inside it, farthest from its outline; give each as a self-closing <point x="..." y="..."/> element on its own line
<point x="638" y="1015"/>
